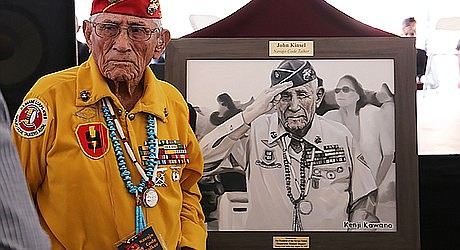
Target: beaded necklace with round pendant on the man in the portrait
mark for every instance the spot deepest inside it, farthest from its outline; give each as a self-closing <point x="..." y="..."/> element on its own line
<point x="301" y="206"/>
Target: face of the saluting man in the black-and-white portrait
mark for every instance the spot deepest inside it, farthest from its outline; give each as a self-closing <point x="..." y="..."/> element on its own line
<point x="297" y="106"/>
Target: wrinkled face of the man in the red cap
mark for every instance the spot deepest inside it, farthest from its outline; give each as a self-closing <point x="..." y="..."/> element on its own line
<point x="120" y="58"/>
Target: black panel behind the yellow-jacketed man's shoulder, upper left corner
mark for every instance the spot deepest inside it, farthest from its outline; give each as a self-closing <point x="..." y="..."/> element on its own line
<point x="36" y="38"/>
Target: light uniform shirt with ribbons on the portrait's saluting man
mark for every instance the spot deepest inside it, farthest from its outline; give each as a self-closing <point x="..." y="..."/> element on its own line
<point x="334" y="175"/>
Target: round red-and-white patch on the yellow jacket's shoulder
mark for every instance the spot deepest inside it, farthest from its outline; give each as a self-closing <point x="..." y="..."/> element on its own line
<point x="31" y="118"/>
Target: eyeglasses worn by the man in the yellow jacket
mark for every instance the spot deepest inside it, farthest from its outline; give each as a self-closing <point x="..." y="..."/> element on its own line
<point x="136" y="33"/>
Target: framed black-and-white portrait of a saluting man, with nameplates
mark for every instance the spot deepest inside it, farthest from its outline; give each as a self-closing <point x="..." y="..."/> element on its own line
<point x="308" y="143"/>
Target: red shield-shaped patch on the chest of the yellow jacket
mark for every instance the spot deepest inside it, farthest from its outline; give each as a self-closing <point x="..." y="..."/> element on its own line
<point x="93" y="139"/>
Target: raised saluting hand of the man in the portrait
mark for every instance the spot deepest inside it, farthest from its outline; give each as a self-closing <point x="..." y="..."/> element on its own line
<point x="264" y="102"/>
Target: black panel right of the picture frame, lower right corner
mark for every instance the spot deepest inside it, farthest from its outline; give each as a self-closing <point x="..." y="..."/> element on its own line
<point x="439" y="201"/>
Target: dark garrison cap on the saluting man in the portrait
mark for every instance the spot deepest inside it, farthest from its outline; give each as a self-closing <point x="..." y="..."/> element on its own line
<point x="297" y="71"/>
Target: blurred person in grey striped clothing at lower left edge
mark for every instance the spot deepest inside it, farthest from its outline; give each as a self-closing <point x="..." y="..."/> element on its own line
<point x="19" y="224"/>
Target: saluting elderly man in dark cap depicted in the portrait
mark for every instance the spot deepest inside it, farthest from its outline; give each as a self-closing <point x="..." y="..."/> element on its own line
<point x="303" y="172"/>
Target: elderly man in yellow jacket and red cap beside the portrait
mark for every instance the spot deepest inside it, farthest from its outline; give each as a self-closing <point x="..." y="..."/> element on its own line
<point x="108" y="153"/>
